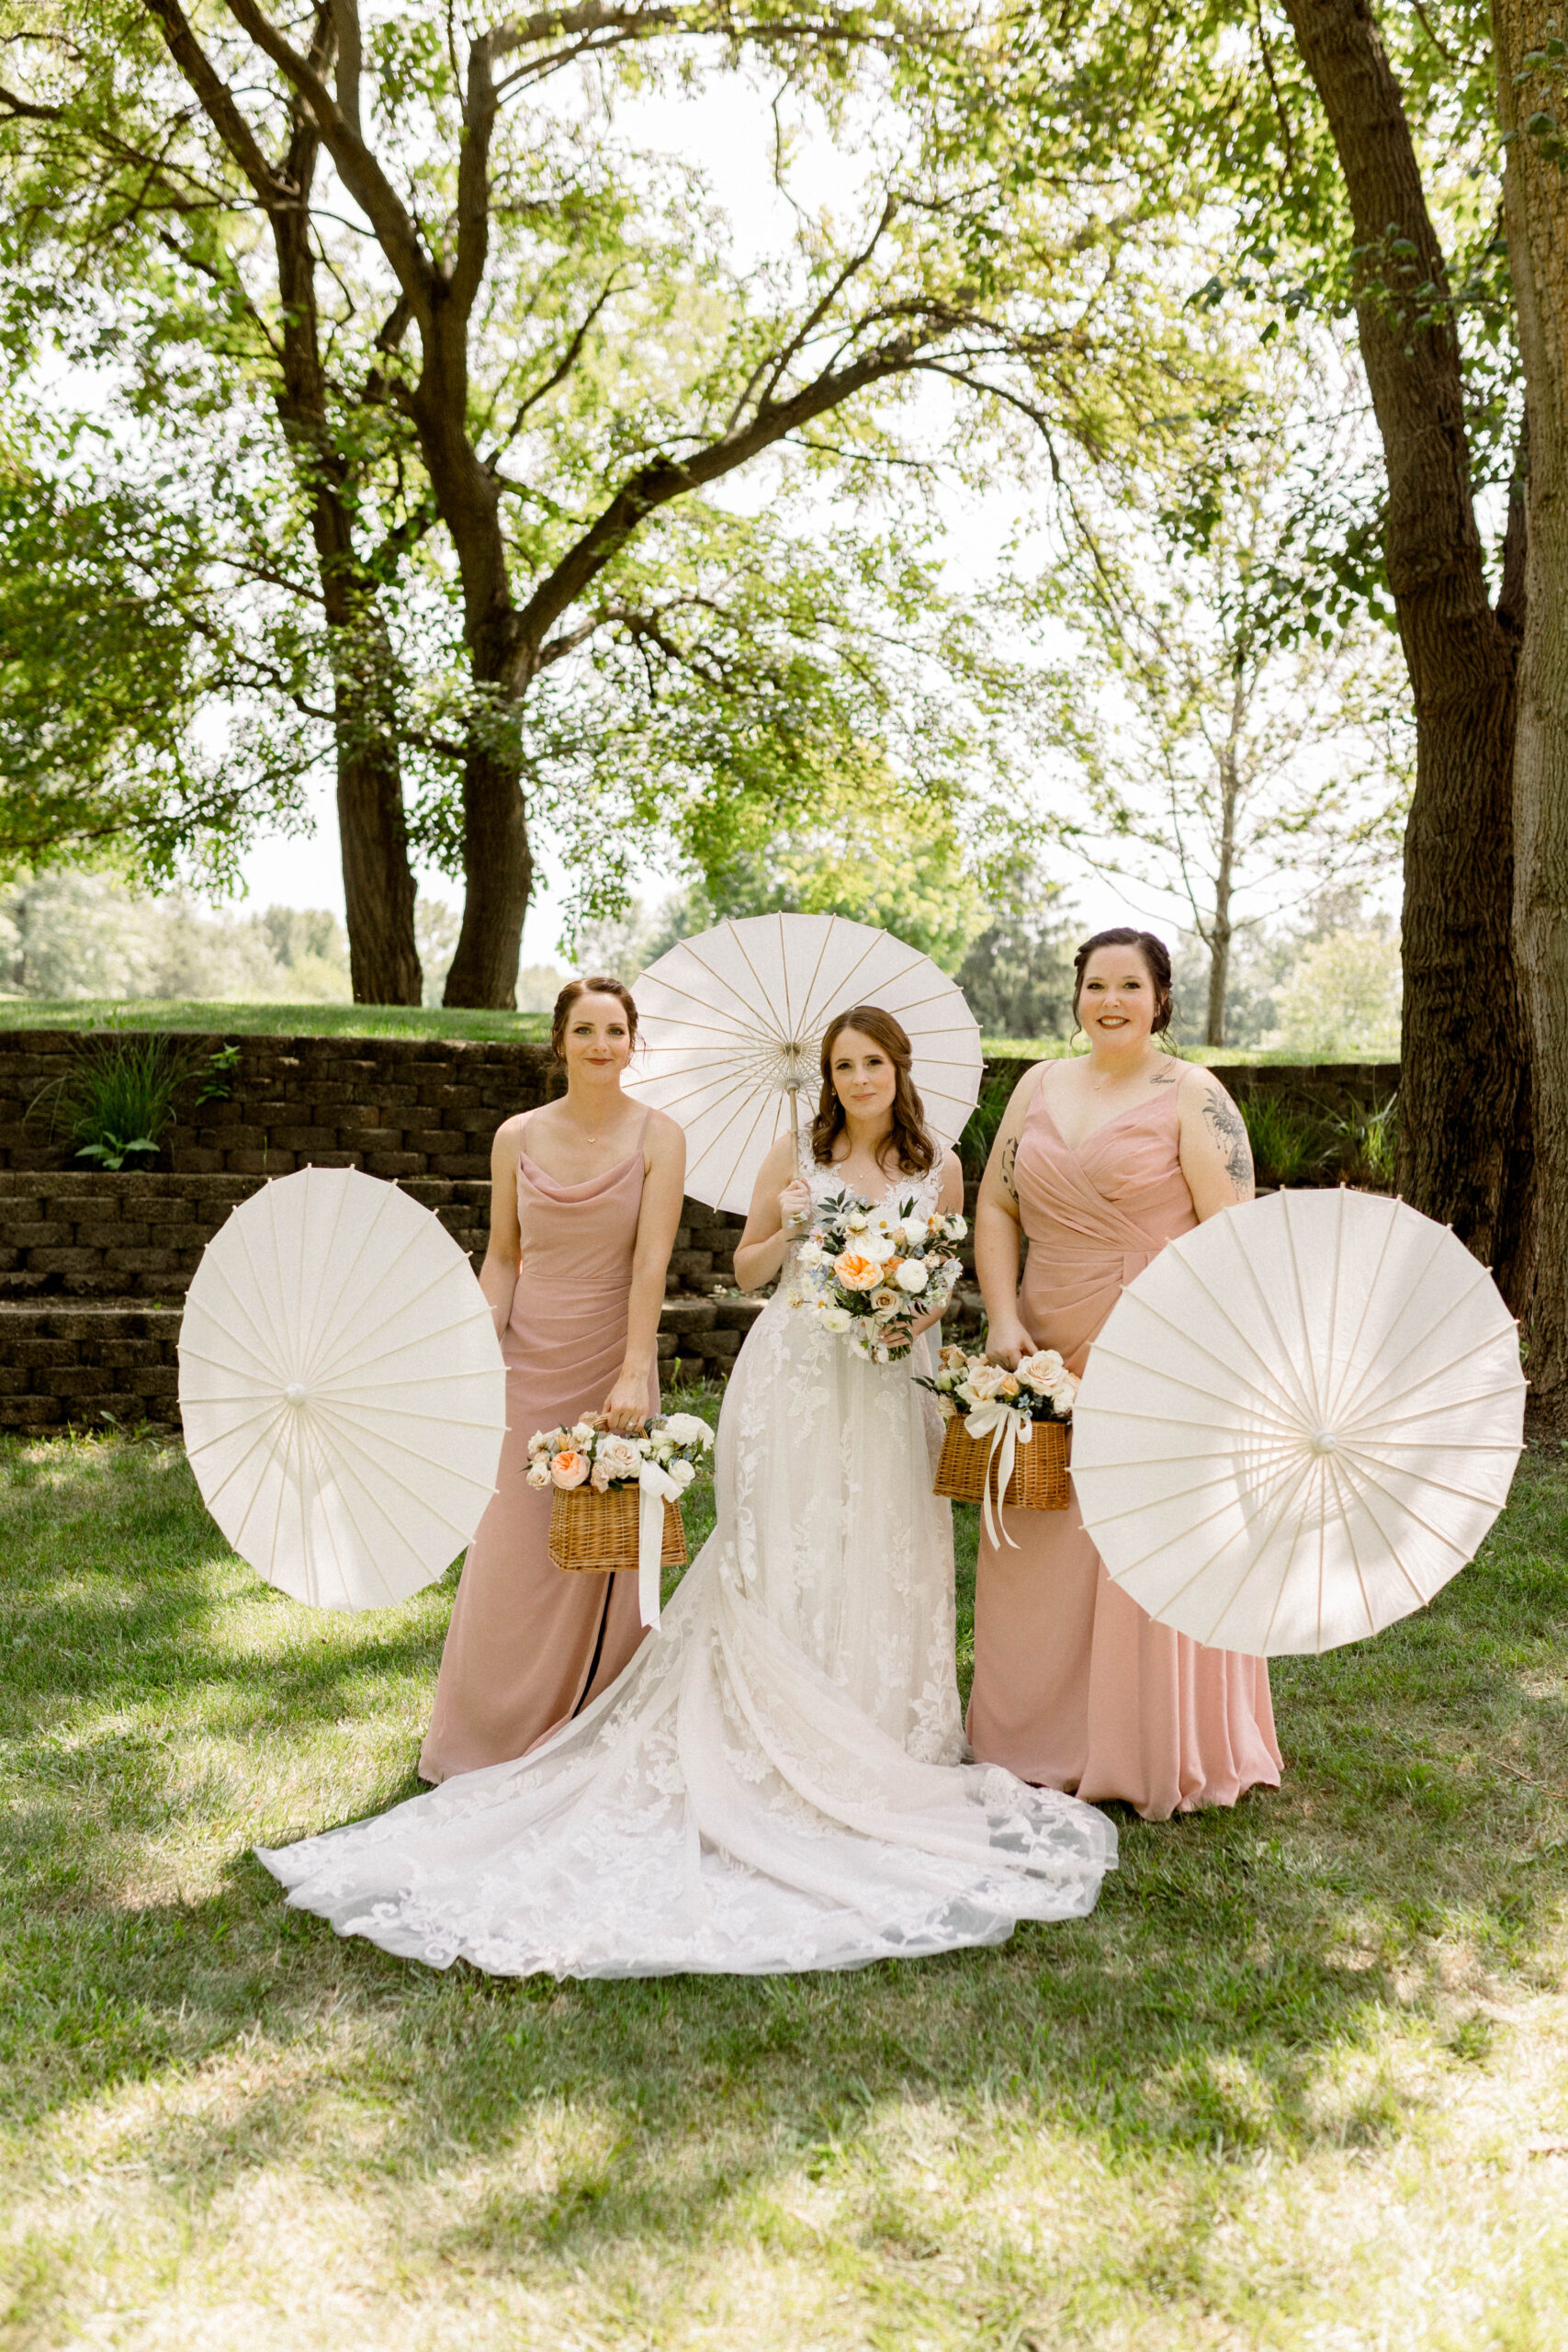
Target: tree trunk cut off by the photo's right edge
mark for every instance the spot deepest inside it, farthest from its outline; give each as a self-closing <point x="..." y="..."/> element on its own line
<point x="1539" y="258"/>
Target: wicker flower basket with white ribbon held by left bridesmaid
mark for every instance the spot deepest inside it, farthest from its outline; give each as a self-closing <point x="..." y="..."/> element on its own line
<point x="617" y="1497"/>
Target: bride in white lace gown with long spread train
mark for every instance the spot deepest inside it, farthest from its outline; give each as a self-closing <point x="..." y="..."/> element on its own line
<point x="775" y="1784"/>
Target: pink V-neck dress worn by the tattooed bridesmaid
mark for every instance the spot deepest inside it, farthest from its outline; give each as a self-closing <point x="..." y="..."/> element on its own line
<point x="1076" y="1688"/>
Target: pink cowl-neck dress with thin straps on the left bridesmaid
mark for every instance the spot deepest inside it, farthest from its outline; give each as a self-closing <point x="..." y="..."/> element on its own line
<point x="530" y="1643"/>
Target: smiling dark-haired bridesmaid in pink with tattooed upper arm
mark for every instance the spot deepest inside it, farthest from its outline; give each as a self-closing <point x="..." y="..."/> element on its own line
<point x="1101" y="1163"/>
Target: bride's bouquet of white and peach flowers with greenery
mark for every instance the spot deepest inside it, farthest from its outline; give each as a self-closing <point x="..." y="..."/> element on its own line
<point x="869" y="1274"/>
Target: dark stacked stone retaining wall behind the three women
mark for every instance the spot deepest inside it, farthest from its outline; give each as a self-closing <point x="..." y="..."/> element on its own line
<point x="95" y="1264"/>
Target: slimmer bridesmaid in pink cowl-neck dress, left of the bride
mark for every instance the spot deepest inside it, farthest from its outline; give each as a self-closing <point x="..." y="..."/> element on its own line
<point x="587" y="1196"/>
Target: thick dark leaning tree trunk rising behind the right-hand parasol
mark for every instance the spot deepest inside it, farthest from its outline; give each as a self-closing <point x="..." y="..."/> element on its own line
<point x="1463" y="1041"/>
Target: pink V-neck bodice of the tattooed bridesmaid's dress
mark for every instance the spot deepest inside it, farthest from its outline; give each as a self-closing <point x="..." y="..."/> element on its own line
<point x="1097" y="1212"/>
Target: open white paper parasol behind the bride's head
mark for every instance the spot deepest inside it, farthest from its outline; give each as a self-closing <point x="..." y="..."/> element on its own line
<point x="732" y="1029"/>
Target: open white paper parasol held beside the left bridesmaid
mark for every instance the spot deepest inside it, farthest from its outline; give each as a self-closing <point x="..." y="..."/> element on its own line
<point x="342" y="1389"/>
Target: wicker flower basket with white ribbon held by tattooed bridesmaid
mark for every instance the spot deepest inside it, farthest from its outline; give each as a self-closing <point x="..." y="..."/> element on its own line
<point x="1007" y="1434"/>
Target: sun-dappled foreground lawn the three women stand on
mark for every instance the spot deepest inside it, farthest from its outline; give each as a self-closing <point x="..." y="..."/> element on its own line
<point x="1299" y="2083"/>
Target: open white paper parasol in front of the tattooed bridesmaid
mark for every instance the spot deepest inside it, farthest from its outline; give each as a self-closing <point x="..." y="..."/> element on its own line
<point x="1299" y="1422"/>
